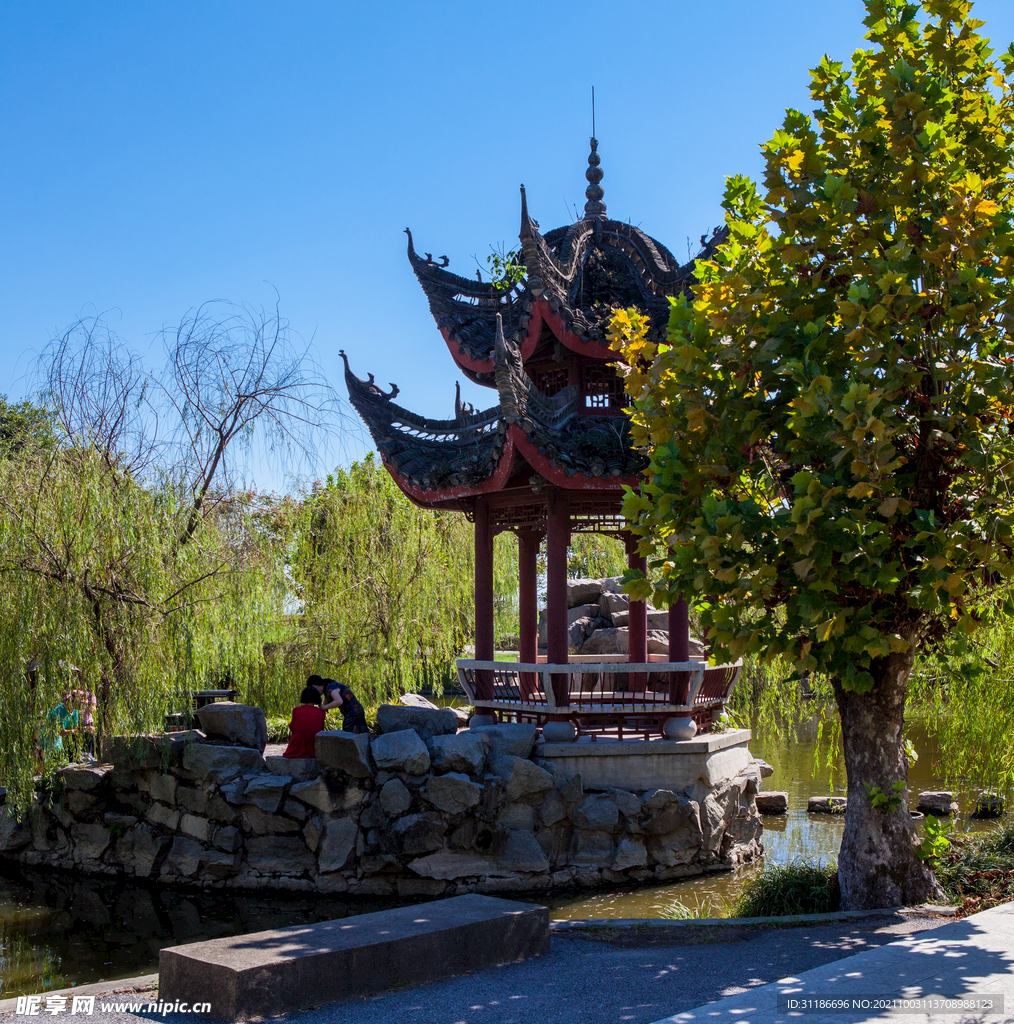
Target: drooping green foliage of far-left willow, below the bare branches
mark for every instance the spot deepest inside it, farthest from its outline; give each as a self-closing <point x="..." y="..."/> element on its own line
<point x="99" y="594"/>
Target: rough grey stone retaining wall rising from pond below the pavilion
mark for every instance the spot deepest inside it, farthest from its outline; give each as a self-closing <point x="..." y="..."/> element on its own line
<point x="421" y="810"/>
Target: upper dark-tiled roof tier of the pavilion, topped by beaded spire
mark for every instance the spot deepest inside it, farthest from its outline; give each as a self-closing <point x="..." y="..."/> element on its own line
<point x="580" y="274"/>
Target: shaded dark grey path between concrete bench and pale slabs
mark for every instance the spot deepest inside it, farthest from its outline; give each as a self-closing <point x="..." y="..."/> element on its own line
<point x="591" y="983"/>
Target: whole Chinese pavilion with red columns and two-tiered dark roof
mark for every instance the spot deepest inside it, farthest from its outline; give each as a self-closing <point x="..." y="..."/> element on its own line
<point x="553" y="456"/>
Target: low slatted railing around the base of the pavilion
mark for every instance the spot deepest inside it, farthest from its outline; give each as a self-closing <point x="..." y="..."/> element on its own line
<point x="601" y="696"/>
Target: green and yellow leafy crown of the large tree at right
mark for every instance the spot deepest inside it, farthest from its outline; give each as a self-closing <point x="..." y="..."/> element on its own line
<point x="829" y="421"/>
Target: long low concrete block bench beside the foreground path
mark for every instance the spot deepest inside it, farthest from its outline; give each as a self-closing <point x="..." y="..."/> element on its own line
<point x="252" y="976"/>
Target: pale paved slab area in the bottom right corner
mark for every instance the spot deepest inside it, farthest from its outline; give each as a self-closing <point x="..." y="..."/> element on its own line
<point x="970" y="962"/>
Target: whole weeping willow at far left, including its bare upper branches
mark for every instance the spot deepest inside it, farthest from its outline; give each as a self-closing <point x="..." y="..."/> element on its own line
<point x="132" y="567"/>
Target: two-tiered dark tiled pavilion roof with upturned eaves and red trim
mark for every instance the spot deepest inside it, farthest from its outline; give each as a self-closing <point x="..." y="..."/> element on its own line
<point x="575" y="278"/>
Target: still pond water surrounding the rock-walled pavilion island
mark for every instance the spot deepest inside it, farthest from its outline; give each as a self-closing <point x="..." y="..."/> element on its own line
<point x="58" y="931"/>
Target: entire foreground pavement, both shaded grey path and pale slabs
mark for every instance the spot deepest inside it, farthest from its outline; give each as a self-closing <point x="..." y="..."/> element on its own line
<point x="714" y="983"/>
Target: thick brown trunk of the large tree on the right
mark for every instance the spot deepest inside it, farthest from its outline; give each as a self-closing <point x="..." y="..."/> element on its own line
<point x="877" y="866"/>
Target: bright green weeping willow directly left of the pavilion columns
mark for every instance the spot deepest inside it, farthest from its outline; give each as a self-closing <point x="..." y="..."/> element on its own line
<point x="386" y="589"/>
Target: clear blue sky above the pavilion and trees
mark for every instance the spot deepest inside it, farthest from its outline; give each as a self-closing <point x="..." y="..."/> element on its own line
<point x="158" y="155"/>
